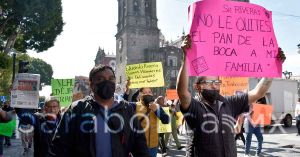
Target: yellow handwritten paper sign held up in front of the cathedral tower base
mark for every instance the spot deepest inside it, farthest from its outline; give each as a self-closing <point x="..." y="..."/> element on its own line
<point x="145" y="75"/>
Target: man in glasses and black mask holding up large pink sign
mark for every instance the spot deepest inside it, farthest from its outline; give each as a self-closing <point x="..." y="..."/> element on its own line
<point x="211" y="116"/>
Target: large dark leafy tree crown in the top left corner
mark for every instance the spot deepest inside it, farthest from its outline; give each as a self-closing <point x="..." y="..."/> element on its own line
<point x="30" y="24"/>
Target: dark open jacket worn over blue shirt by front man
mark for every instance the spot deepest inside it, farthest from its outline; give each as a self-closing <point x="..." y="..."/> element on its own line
<point x="71" y="141"/>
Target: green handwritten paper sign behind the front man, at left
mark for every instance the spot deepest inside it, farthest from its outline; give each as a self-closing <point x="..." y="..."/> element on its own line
<point x="63" y="90"/>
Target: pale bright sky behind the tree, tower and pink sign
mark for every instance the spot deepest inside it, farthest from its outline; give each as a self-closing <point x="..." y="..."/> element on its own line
<point x="91" y="24"/>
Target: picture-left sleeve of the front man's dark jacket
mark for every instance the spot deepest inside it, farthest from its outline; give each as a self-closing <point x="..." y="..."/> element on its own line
<point x="62" y="140"/>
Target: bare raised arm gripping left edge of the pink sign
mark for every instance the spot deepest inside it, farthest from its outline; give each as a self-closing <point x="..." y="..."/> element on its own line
<point x="183" y="78"/>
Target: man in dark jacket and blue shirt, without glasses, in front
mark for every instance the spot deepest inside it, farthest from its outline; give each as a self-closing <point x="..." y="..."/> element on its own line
<point x="99" y="125"/>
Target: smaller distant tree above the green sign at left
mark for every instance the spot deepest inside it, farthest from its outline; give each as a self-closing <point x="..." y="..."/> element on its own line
<point x="38" y="66"/>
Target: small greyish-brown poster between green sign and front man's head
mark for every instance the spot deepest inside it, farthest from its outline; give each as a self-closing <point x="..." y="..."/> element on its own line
<point x="81" y="88"/>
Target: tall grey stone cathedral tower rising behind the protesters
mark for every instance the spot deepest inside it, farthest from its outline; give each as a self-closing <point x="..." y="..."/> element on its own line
<point x="137" y="31"/>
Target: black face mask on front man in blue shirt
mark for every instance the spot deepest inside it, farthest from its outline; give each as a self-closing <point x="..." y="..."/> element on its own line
<point x="105" y="89"/>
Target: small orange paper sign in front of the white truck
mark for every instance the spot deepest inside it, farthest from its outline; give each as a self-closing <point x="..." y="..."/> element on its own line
<point x="262" y="114"/>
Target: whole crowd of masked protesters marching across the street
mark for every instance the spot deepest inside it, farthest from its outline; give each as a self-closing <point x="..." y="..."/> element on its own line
<point x="105" y="124"/>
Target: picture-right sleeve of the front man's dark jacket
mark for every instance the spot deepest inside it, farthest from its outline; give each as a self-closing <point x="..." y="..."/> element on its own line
<point x="139" y="146"/>
